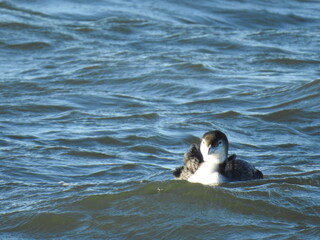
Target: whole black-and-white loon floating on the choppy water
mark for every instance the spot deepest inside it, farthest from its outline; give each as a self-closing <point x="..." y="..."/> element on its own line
<point x="208" y="162"/>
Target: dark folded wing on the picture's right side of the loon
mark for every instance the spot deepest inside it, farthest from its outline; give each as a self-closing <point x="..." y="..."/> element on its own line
<point x="239" y="170"/>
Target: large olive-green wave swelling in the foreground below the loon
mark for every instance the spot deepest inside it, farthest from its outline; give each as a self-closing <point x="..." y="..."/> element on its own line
<point x="194" y="205"/>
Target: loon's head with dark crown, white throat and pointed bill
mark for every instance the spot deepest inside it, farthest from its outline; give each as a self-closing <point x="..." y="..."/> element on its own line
<point x="214" y="147"/>
